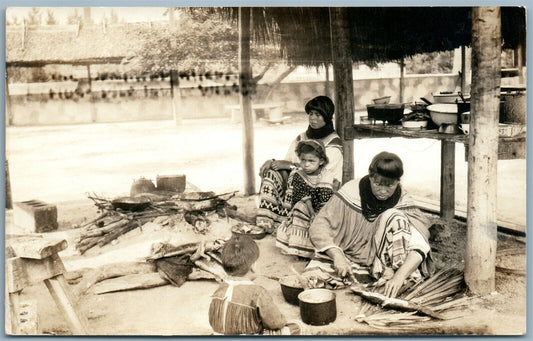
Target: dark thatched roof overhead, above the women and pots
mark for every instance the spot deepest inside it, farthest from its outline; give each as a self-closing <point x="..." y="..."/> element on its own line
<point x="377" y="34"/>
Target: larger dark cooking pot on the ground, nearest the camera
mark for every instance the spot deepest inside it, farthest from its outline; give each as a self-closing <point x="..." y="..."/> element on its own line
<point x="318" y="307"/>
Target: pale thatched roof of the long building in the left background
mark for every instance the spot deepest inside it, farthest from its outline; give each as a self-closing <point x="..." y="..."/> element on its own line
<point x="71" y="43"/>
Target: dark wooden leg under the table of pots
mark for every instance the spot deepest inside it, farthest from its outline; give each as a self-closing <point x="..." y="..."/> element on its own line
<point x="447" y="180"/>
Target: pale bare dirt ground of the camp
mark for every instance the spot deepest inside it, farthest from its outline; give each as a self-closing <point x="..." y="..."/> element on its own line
<point x="105" y="160"/>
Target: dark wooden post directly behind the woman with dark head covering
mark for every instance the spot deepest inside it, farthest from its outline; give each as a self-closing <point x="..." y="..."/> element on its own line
<point x="343" y="79"/>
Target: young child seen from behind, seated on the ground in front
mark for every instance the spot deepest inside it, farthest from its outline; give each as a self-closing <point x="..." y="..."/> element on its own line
<point x="240" y="306"/>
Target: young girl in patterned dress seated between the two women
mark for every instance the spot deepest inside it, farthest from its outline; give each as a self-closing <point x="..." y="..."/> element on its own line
<point x="307" y="191"/>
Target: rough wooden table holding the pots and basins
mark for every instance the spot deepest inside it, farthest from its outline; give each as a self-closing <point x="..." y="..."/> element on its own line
<point x="508" y="148"/>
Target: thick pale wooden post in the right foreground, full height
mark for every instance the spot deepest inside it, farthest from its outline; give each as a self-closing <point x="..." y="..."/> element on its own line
<point x="480" y="256"/>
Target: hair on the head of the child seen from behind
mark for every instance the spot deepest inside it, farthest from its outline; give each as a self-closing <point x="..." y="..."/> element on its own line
<point x="239" y="254"/>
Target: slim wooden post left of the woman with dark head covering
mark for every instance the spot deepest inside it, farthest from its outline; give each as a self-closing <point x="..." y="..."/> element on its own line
<point x="245" y="99"/>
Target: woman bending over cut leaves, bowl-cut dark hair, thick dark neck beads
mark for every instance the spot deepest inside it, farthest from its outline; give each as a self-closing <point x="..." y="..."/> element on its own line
<point x="372" y="230"/>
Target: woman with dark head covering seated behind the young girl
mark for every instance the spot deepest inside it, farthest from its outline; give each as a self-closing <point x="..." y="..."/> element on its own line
<point x="274" y="173"/>
